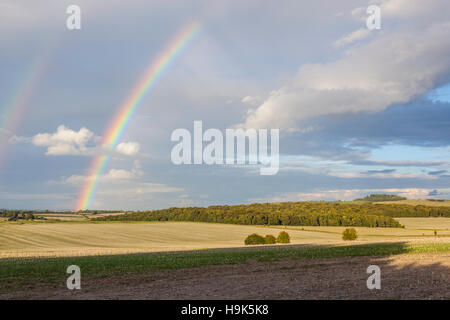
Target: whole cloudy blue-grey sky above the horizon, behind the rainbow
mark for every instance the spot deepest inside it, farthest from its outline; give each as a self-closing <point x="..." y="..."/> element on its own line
<point x="359" y="111"/>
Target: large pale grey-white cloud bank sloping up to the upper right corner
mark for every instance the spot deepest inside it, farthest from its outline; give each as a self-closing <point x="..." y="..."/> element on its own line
<point x="394" y="68"/>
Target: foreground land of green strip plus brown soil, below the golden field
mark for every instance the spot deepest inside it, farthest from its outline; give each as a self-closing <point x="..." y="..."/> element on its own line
<point x="263" y="272"/>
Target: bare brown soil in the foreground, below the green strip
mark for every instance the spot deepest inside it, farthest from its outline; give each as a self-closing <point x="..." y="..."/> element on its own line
<point x="411" y="276"/>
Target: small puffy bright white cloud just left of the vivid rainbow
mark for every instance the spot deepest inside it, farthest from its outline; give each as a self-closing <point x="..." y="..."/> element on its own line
<point x="64" y="141"/>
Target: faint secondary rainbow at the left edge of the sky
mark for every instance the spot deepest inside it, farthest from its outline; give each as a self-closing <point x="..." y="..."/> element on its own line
<point x="15" y="111"/>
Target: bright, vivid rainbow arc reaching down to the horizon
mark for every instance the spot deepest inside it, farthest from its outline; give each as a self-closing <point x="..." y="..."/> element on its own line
<point x="128" y="108"/>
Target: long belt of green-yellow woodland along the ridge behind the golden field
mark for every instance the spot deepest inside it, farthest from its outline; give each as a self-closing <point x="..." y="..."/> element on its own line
<point x="291" y="213"/>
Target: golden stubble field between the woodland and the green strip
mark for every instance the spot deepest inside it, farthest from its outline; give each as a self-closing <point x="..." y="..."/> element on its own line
<point x="57" y="239"/>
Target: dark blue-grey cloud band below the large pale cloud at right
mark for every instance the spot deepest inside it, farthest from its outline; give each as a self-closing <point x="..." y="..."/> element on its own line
<point x="350" y="136"/>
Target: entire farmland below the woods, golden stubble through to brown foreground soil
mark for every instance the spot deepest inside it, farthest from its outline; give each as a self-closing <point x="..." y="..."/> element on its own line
<point x="156" y="260"/>
